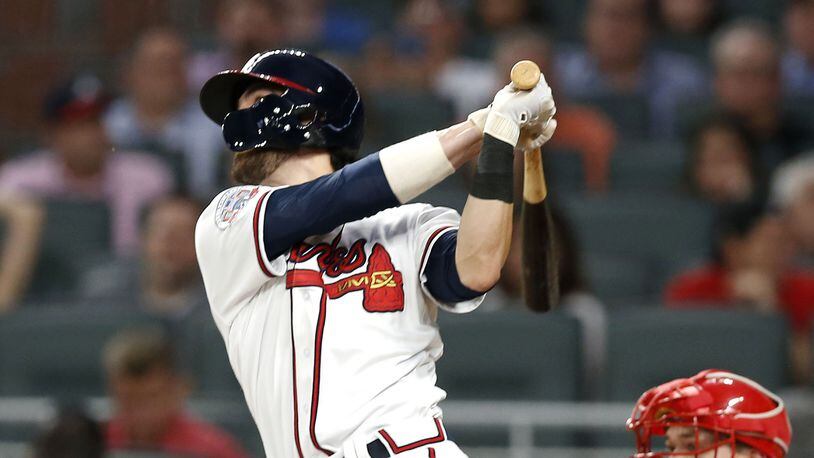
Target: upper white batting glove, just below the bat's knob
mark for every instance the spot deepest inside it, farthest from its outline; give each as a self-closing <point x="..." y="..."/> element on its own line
<point x="513" y="109"/>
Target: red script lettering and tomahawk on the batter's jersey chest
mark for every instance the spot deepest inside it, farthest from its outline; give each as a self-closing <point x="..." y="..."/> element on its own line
<point x="381" y="284"/>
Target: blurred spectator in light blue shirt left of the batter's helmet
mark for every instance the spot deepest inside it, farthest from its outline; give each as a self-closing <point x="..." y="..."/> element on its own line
<point x="157" y="113"/>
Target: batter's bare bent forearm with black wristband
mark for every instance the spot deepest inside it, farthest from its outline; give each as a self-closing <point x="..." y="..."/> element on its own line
<point x="484" y="236"/>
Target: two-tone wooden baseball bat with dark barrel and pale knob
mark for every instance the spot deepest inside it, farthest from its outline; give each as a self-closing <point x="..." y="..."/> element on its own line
<point x="541" y="288"/>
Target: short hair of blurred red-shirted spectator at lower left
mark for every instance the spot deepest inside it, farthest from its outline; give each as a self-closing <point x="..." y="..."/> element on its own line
<point x="137" y="352"/>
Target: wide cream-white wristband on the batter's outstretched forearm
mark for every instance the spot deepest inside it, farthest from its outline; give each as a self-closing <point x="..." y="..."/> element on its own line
<point x="415" y="165"/>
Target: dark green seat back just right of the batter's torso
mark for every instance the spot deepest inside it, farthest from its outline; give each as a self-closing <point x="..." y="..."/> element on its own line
<point x="510" y="355"/>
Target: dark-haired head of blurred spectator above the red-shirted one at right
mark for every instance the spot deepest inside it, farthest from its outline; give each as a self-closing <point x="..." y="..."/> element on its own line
<point x="721" y="165"/>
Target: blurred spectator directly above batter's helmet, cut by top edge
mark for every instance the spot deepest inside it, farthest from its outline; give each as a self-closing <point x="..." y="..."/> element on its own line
<point x="242" y="28"/>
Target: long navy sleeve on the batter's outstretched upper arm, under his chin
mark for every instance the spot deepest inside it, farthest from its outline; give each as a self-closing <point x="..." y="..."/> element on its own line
<point x="356" y="191"/>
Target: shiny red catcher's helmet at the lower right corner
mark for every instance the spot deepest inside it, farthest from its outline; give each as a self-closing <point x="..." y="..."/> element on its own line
<point x="732" y="407"/>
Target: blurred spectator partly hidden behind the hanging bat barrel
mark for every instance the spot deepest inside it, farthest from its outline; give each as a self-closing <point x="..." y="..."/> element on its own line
<point x="575" y="296"/>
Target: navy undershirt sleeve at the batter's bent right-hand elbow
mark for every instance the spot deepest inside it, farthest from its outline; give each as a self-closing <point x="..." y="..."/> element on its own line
<point x="443" y="281"/>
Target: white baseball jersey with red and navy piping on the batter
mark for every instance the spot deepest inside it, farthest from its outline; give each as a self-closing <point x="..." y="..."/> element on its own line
<point x="337" y="336"/>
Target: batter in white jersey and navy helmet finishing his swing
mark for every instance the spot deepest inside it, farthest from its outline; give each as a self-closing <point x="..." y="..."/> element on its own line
<point x="323" y="283"/>
